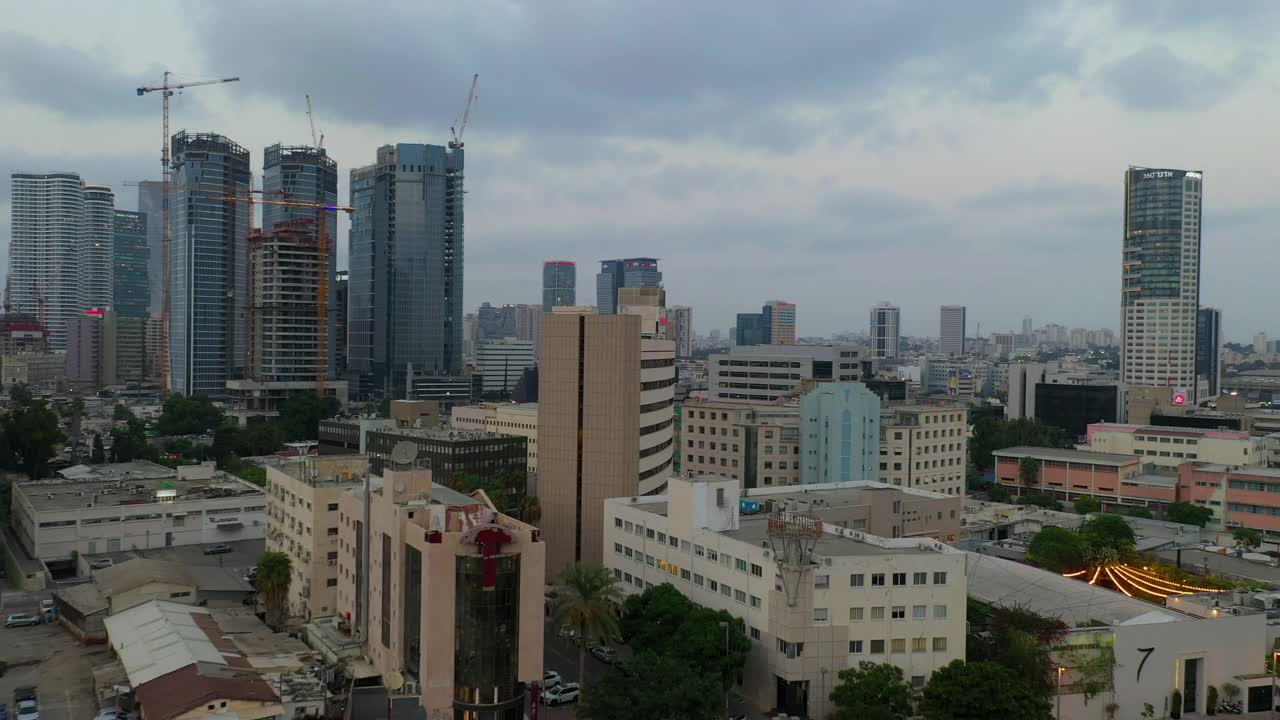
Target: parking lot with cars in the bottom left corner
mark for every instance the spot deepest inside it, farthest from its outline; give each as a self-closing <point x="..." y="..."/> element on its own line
<point x="61" y="669"/>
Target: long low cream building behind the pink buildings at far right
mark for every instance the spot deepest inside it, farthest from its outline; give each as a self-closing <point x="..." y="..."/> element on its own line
<point x="1171" y="448"/>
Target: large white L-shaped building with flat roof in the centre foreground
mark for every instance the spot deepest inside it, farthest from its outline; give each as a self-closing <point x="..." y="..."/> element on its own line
<point x="810" y="608"/>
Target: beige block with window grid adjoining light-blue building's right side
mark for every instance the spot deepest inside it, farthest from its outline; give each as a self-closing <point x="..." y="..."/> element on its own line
<point x="925" y="446"/>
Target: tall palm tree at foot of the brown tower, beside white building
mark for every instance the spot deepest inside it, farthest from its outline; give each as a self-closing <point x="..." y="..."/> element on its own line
<point x="588" y="599"/>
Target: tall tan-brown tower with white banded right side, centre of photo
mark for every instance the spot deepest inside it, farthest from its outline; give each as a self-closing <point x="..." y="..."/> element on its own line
<point x="606" y="409"/>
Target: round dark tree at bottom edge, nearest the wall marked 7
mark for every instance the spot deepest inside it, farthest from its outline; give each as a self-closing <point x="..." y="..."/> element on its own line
<point x="981" y="691"/>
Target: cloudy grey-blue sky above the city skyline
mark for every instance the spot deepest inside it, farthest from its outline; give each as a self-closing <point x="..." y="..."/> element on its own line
<point x="831" y="154"/>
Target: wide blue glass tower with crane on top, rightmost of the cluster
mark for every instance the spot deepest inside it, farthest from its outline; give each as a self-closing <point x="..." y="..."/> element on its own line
<point x="406" y="265"/>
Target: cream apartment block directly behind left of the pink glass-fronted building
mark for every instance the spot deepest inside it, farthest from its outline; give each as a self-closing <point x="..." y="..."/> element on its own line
<point x="303" y="522"/>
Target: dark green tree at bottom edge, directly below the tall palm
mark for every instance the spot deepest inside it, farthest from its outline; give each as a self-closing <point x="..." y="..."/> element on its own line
<point x="650" y="687"/>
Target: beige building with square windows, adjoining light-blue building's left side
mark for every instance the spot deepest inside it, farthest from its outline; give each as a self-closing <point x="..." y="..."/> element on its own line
<point x="758" y="445"/>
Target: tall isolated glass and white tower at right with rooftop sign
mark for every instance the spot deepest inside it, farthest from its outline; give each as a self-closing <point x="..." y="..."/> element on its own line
<point x="1160" y="290"/>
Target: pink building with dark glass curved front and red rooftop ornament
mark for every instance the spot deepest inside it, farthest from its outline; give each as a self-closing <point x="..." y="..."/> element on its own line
<point x="445" y="591"/>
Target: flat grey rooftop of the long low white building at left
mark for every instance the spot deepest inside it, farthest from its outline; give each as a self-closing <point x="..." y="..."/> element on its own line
<point x="129" y="484"/>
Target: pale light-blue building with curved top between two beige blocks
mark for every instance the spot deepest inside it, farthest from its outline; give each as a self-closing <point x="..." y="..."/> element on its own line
<point x="839" y="434"/>
